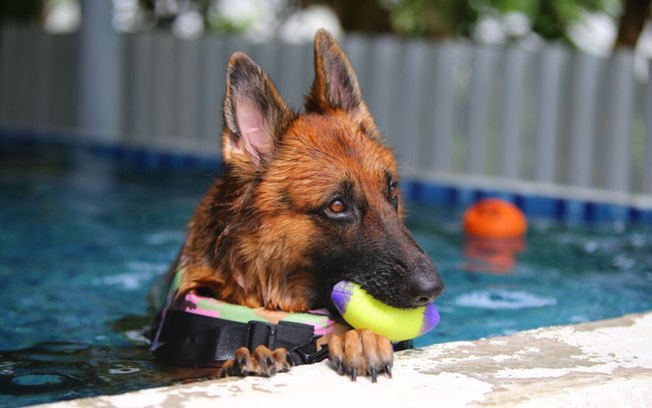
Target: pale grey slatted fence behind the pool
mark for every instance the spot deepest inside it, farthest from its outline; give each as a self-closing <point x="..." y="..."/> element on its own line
<point x="552" y="117"/>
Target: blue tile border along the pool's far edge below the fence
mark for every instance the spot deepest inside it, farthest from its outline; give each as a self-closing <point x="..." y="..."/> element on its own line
<point x="570" y="211"/>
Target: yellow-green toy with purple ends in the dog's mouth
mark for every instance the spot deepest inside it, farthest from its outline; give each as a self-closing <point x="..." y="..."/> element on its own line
<point x="363" y="311"/>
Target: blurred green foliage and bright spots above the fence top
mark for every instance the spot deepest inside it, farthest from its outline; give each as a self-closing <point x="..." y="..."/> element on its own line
<point x="595" y="26"/>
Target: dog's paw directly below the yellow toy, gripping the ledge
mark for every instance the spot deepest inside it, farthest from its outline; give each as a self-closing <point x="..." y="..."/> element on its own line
<point x="361" y="352"/>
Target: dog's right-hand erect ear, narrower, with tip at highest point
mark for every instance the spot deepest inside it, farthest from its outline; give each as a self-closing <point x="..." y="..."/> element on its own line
<point x="336" y="85"/>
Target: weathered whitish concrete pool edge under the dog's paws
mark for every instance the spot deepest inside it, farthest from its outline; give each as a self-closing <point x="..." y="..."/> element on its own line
<point x="606" y="363"/>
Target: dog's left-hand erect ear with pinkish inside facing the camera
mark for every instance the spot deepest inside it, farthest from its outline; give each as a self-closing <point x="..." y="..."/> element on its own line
<point x="254" y="114"/>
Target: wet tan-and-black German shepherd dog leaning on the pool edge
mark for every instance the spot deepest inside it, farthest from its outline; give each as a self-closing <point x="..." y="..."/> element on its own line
<point x="307" y="199"/>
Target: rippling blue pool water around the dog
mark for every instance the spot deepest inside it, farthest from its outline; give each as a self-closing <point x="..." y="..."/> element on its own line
<point x="83" y="236"/>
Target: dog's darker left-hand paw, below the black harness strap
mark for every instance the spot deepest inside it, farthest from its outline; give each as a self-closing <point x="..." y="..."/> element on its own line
<point x="262" y="362"/>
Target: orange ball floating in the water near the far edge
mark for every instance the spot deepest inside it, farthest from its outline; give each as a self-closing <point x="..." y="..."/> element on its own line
<point x="494" y="218"/>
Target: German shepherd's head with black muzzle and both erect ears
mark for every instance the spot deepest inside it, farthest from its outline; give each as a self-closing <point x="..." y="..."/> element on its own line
<point x="321" y="187"/>
